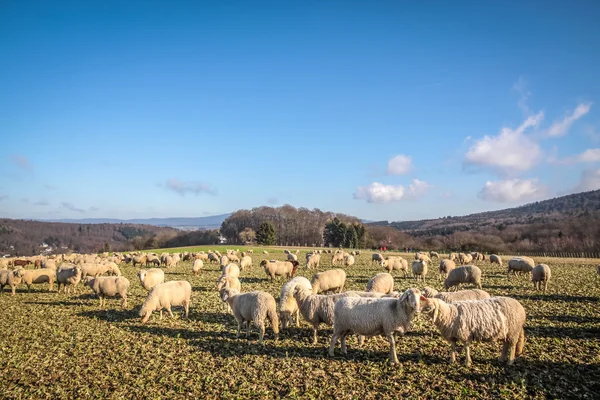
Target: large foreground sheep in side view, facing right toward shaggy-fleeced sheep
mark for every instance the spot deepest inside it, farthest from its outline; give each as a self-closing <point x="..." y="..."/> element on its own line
<point x="372" y="317"/>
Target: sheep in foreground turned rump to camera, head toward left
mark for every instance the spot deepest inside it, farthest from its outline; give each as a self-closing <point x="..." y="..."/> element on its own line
<point x="254" y="306"/>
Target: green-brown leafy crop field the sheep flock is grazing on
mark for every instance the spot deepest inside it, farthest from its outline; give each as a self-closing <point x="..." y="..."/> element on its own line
<point x="65" y="346"/>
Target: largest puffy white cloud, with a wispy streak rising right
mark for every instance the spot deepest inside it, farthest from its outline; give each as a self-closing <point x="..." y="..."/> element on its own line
<point x="510" y="151"/>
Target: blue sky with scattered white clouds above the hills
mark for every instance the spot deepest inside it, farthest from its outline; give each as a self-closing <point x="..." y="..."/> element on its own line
<point x="383" y="110"/>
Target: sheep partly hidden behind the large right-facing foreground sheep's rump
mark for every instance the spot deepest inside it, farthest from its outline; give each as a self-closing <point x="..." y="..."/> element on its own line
<point x="317" y="308"/>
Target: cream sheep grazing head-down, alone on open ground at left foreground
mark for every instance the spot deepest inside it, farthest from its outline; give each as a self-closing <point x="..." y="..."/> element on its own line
<point x="165" y="295"/>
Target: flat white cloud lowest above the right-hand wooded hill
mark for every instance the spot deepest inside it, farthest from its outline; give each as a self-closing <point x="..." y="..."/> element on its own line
<point x="512" y="190"/>
